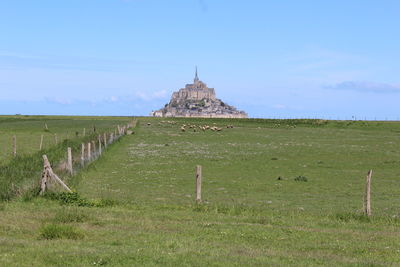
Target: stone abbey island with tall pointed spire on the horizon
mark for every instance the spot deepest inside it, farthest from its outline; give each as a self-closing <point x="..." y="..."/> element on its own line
<point x="197" y="100"/>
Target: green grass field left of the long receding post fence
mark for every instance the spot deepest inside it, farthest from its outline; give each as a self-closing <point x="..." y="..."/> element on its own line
<point x="21" y="173"/>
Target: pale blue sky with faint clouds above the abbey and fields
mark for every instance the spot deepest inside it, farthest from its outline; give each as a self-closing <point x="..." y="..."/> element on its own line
<point x="273" y="59"/>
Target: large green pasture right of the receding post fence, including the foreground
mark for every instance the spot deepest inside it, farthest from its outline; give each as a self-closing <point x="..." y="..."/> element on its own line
<point x="135" y="205"/>
